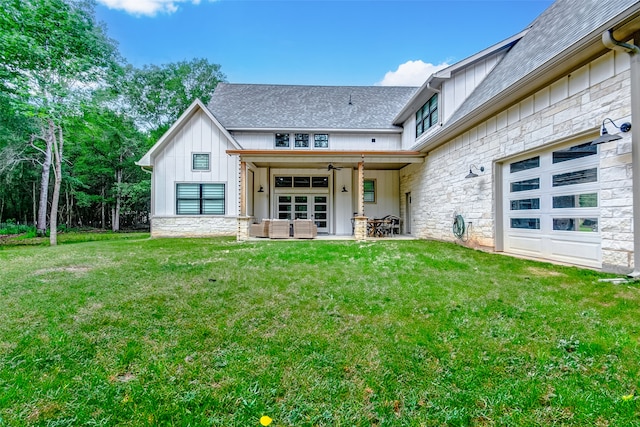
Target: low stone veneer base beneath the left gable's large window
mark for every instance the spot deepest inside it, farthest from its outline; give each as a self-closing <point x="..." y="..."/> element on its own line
<point x="193" y="226"/>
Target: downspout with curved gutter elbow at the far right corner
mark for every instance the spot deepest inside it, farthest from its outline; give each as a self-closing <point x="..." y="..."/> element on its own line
<point x="634" y="54"/>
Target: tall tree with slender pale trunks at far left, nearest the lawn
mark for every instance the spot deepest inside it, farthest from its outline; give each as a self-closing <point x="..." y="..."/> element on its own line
<point x="52" y="56"/>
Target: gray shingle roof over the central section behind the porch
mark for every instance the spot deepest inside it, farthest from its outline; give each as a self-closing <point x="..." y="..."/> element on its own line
<point x="248" y="106"/>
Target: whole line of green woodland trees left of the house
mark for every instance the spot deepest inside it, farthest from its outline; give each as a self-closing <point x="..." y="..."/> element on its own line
<point x="75" y="116"/>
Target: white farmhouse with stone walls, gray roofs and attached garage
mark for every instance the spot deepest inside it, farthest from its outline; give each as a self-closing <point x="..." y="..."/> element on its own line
<point x="507" y="140"/>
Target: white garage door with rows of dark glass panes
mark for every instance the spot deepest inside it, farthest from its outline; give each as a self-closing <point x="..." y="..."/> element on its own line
<point x="551" y="205"/>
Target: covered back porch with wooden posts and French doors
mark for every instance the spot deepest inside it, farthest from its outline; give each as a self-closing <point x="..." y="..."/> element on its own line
<point x="338" y="190"/>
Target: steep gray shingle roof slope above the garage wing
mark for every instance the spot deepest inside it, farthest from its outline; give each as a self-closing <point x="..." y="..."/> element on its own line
<point x="562" y="25"/>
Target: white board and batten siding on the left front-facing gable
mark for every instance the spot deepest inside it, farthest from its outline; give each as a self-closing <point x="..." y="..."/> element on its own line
<point x="172" y="165"/>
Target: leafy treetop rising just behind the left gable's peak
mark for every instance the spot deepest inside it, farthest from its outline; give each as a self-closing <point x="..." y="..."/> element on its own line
<point x="158" y="95"/>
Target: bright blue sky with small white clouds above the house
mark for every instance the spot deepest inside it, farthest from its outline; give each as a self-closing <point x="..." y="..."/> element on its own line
<point x="316" y="42"/>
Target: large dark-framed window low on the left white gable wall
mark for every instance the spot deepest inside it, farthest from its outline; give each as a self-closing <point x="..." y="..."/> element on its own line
<point x="200" y="199"/>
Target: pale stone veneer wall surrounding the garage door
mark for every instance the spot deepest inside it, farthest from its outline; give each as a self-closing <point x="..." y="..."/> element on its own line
<point x="575" y="104"/>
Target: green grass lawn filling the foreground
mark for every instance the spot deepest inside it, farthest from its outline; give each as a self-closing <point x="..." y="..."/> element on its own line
<point x="137" y="331"/>
